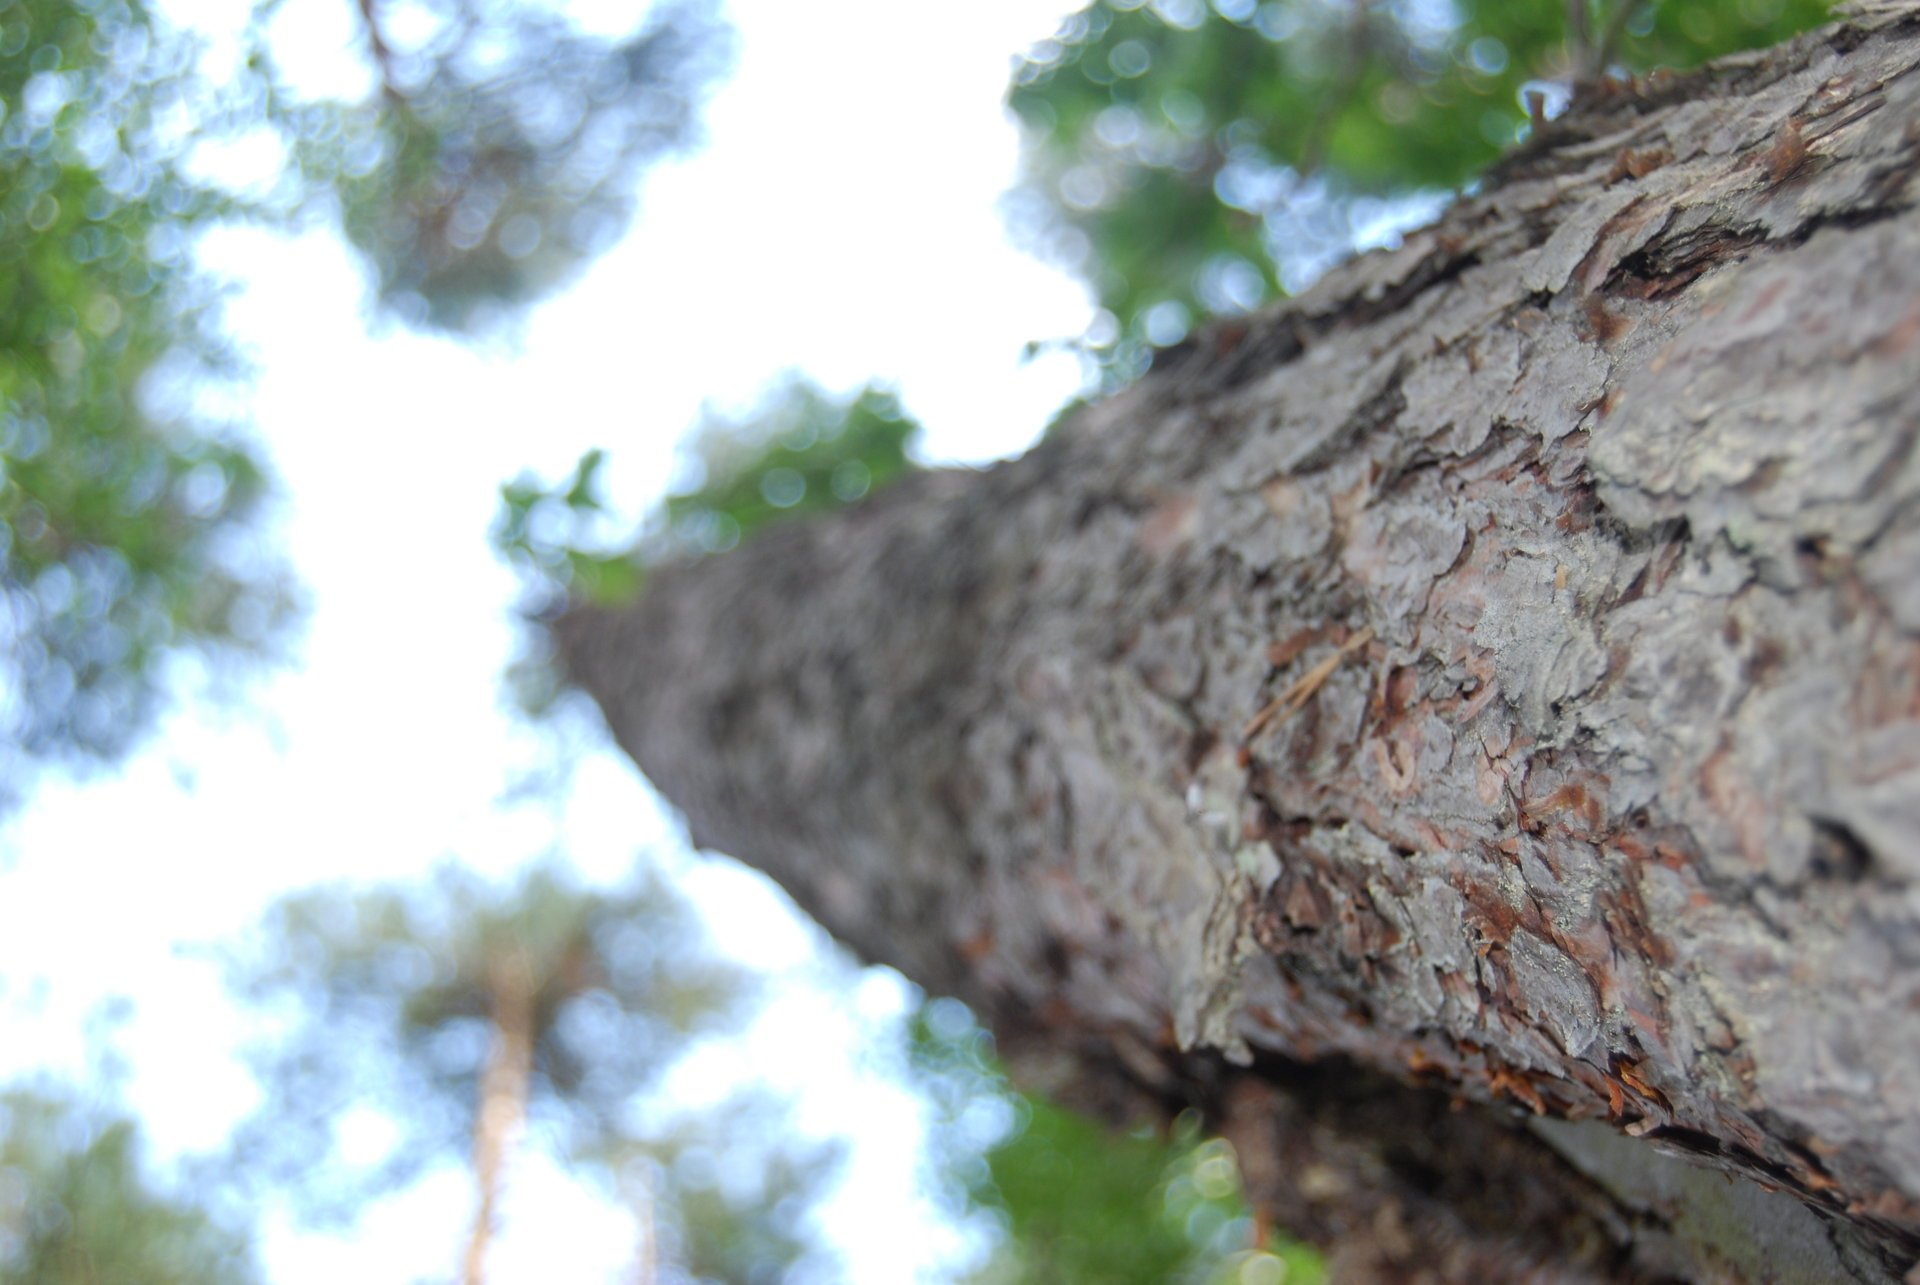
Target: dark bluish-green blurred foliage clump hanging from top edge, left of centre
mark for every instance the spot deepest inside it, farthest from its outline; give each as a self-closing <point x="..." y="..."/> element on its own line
<point x="504" y="147"/>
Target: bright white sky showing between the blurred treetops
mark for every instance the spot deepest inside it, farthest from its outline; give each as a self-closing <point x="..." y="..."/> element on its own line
<point x="842" y="222"/>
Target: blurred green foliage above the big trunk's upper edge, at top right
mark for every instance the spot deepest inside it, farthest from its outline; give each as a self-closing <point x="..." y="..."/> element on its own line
<point x="1191" y="158"/>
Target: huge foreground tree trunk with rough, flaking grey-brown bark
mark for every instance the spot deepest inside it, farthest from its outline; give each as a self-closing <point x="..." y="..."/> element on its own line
<point x="1493" y="677"/>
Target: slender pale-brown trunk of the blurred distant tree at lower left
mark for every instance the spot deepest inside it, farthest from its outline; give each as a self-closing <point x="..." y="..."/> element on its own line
<point x="504" y="1094"/>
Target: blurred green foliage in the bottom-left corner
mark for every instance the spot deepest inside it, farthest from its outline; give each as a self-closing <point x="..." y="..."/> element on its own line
<point x="78" y="1211"/>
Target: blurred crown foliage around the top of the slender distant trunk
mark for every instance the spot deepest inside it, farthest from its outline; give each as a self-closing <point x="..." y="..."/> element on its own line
<point x="387" y="1002"/>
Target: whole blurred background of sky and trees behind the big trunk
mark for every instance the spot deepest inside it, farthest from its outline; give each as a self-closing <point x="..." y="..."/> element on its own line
<point x="339" y="341"/>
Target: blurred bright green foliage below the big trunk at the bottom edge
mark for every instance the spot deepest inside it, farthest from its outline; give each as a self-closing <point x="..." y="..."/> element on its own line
<point x="1078" y="1201"/>
